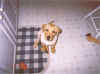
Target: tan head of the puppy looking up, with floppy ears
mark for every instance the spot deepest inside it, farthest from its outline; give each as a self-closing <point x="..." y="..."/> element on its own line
<point x="50" y="31"/>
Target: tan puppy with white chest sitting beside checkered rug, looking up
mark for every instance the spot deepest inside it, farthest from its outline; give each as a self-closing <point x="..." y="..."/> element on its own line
<point x="48" y="37"/>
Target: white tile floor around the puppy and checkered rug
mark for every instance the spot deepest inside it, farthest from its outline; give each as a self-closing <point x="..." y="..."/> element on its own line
<point x="74" y="54"/>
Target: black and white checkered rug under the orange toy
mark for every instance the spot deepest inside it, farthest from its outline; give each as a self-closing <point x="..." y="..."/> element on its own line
<point x="32" y="57"/>
